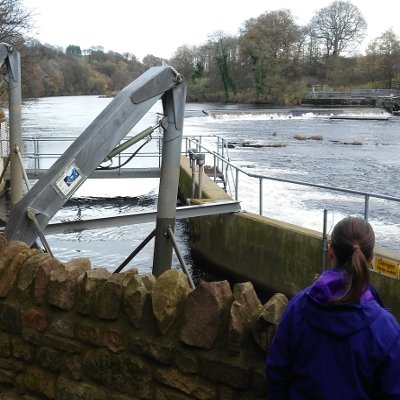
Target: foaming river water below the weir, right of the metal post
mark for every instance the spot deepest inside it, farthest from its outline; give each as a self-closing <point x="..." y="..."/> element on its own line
<point x="314" y="147"/>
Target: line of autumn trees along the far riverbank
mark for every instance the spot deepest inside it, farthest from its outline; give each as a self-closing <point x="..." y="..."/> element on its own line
<point x="272" y="59"/>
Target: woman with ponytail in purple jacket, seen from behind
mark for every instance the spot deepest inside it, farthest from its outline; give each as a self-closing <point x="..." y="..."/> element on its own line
<point x="335" y="341"/>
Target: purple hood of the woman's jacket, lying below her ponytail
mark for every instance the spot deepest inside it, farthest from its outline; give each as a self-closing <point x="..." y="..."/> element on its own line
<point x="337" y="320"/>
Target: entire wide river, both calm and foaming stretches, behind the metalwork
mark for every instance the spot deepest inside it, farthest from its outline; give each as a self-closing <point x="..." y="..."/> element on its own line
<point x="301" y="144"/>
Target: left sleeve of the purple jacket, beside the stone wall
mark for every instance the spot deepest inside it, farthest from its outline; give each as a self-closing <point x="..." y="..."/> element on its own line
<point x="279" y="361"/>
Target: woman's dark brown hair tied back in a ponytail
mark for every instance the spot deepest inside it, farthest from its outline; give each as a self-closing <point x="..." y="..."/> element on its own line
<point x="353" y="242"/>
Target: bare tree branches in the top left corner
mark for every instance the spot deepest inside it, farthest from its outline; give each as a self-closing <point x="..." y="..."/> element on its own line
<point x="15" y="22"/>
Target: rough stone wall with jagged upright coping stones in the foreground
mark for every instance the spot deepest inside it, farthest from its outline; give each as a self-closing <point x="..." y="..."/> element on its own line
<point x="70" y="332"/>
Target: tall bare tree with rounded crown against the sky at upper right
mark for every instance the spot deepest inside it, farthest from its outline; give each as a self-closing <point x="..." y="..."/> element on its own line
<point x="338" y="27"/>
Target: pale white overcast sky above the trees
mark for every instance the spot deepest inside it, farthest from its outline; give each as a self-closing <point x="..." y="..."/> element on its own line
<point x="159" y="27"/>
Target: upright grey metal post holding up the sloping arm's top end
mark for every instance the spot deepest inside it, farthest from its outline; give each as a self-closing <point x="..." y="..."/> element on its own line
<point x="174" y="106"/>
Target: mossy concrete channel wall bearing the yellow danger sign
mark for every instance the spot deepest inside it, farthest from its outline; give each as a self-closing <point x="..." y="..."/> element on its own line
<point x="279" y="257"/>
